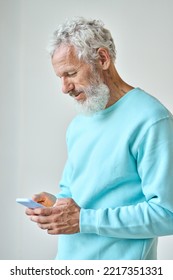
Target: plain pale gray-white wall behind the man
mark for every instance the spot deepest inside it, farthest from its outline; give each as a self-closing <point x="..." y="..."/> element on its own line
<point x="34" y="114"/>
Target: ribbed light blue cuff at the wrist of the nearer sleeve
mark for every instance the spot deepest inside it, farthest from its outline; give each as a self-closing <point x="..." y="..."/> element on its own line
<point x="89" y="221"/>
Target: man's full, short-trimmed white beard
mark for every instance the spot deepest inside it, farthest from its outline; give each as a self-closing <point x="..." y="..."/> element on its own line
<point x="97" y="97"/>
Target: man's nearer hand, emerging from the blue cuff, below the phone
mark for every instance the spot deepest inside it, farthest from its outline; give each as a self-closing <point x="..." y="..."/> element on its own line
<point x="62" y="218"/>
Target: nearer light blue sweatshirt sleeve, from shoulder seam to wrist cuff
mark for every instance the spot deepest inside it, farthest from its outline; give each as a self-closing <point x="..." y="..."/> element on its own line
<point x="154" y="216"/>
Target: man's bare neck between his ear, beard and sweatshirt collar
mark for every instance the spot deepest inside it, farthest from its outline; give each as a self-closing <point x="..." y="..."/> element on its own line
<point x="118" y="88"/>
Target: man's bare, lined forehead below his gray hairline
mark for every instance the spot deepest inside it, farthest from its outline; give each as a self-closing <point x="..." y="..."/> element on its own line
<point x="65" y="59"/>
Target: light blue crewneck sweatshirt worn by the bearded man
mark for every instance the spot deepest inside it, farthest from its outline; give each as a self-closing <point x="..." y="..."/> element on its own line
<point x="120" y="172"/>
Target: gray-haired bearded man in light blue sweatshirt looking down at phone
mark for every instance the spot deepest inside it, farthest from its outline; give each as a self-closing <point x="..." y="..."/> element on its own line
<point x="116" y="193"/>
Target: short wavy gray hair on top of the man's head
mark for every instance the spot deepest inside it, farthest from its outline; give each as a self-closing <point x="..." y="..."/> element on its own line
<point x="87" y="36"/>
